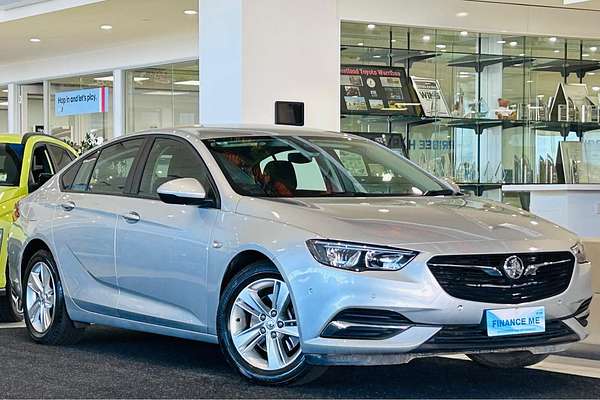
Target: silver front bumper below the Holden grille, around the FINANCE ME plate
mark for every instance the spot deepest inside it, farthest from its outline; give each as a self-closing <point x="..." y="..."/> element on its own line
<point x="321" y="293"/>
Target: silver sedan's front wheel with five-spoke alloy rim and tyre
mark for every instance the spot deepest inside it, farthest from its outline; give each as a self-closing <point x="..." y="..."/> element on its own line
<point x="258" y="330"/>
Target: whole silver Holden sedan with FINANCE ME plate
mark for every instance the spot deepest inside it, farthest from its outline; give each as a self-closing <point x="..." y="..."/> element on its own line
<point x="294" y="250"/>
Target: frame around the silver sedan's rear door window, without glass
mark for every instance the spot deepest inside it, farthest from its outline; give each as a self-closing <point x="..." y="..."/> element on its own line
<point x="98" y="152"/>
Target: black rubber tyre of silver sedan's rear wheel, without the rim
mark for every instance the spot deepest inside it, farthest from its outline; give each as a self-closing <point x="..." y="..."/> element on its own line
<point x="61" y="331"/>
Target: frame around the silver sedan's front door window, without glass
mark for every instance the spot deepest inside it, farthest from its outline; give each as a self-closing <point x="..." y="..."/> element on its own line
<point x="144" y="158"/>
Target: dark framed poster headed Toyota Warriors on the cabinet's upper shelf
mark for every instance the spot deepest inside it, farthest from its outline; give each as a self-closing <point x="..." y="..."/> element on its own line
<point x="376" y="90"/>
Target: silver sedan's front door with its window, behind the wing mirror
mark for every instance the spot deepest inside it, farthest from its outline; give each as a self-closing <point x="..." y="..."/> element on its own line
<point x="162" y="249"/>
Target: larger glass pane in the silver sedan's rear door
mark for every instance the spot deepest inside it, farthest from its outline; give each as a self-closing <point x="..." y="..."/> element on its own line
<point x="114" y="166"/>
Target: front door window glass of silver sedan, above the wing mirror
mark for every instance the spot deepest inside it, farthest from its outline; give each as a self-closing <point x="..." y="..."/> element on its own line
<point x="171" y="159"/>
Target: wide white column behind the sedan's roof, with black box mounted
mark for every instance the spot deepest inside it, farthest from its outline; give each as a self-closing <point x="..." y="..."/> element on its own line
<point x="253" y="53"/>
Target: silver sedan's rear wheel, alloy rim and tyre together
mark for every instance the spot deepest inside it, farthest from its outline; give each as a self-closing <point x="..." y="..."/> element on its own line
<point x="44" y="303"/>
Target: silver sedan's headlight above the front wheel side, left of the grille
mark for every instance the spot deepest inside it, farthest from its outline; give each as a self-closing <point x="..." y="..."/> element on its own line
<point x="356" y="257"/>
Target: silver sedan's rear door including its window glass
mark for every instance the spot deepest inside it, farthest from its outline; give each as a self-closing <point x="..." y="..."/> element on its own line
<point x="85" y="222"/>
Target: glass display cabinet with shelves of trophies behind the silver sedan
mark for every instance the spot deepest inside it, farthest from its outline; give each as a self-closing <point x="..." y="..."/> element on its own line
<point x="505" y="101"/>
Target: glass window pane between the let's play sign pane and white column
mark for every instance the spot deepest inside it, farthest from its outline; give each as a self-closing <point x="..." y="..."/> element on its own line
<point x="162" y="96"/>
